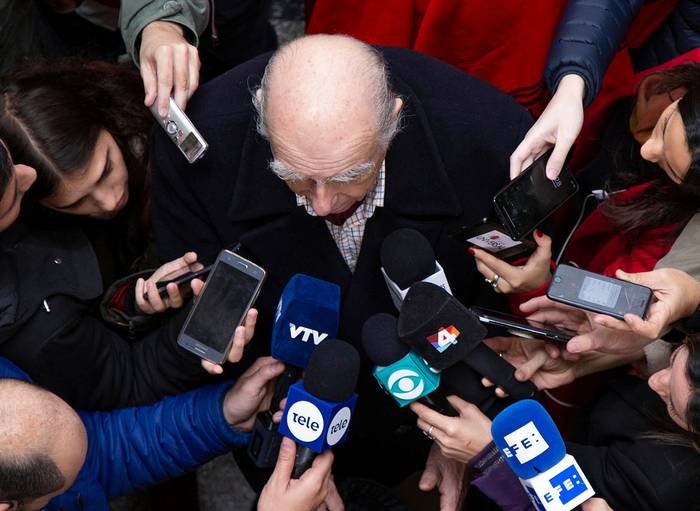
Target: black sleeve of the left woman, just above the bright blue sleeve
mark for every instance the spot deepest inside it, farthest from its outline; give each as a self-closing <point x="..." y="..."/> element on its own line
<point x="93" y="367"/>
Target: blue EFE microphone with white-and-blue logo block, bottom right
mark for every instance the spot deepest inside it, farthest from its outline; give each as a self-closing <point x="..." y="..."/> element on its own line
<point x="530" y="443"/>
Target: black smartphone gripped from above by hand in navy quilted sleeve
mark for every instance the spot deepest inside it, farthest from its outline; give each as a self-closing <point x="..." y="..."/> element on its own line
<point x="531" y="198"/>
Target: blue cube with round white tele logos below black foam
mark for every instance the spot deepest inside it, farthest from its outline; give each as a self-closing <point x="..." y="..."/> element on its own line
<point x="313" y="422"/>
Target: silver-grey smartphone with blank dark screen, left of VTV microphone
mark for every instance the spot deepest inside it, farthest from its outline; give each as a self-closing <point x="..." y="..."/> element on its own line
<point x="231" y="289"/>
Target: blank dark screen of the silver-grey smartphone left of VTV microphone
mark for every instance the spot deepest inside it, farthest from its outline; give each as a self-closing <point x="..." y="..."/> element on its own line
<point x="221" y="306"/>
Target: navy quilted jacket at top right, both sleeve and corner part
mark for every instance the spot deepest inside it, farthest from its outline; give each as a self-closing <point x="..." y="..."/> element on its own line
<point x="590" y="33"/>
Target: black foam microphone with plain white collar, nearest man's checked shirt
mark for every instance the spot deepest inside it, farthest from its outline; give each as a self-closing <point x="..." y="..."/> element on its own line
<point x="407" y="257"/>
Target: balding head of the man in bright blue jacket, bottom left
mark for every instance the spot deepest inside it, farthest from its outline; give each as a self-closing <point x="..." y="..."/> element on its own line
<point x="42" y="442"/>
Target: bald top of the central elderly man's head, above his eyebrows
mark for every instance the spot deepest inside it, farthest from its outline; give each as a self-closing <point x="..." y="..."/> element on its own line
<point x="323" y="86"/>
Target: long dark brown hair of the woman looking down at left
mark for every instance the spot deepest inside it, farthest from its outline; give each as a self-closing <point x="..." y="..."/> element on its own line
<point x="51" y="114"/>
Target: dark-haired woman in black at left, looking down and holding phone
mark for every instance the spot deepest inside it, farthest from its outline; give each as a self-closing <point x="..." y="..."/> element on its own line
<point x="83" y="128"/>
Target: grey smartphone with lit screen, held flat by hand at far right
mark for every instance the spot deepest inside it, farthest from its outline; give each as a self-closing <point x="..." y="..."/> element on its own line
<point x="598" y="293"/>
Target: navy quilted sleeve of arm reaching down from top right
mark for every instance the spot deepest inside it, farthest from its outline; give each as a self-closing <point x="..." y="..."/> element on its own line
<point x="587" y="38"/>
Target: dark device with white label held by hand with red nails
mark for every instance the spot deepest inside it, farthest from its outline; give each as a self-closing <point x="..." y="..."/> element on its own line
<point x="493" y="238"/>
